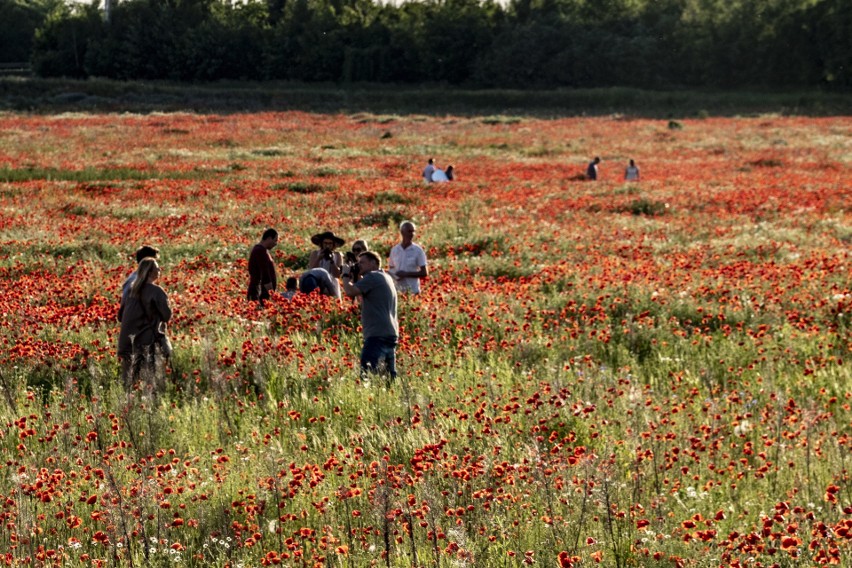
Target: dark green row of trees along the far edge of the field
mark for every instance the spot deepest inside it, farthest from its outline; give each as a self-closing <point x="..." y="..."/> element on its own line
<point x="657" y="44"/>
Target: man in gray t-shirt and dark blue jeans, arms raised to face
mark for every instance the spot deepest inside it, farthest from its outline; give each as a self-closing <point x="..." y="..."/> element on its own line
<point x="378" y="313"/>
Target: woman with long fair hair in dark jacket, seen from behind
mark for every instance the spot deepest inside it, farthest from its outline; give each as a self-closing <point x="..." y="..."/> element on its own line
<point x="143" y="320"/>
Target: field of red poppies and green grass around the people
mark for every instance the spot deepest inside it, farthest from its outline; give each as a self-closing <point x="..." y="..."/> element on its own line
<point x="648" y="373"/>
